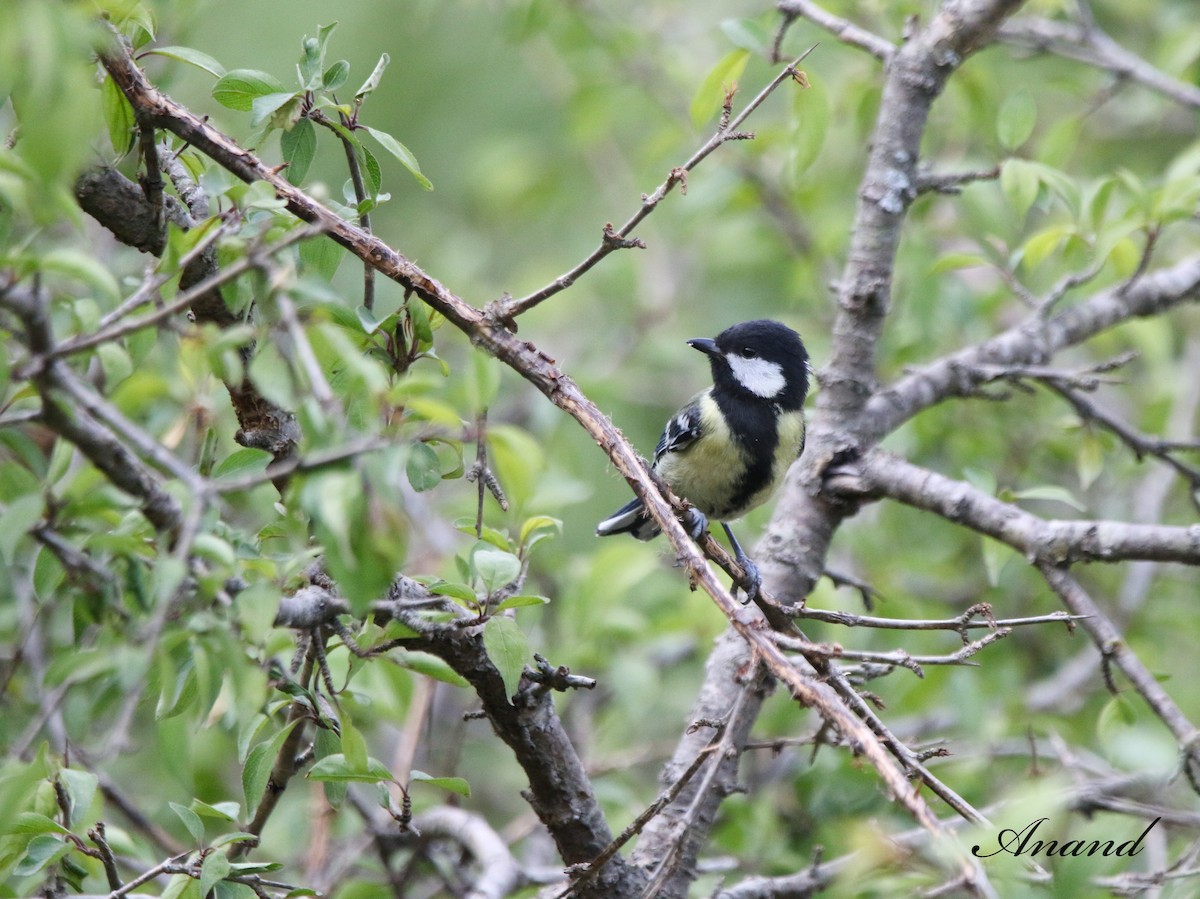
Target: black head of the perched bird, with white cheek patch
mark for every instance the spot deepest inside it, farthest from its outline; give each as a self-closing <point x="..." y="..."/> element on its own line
<point x="760" y="361"/>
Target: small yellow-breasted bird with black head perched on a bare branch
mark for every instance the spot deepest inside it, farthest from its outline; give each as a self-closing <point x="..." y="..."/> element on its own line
<point x="729" y="448"/>
